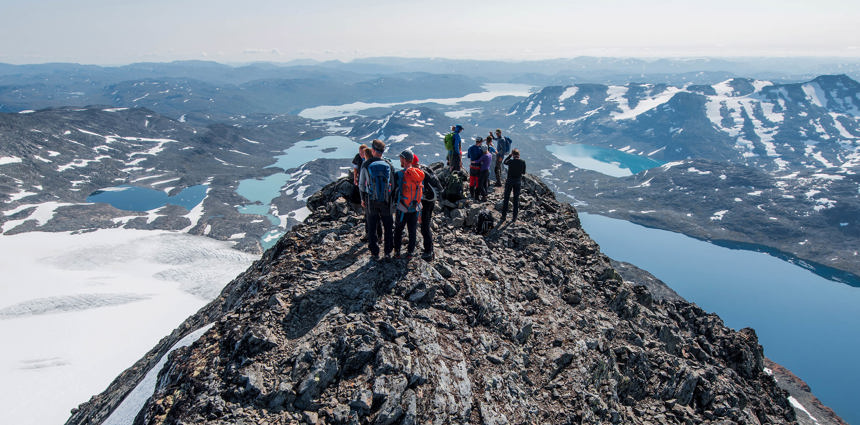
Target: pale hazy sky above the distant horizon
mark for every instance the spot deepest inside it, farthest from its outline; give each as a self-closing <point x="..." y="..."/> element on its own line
<point x="233" y="31"/>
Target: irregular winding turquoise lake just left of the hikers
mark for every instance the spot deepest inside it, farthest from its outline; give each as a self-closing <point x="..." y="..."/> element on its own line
<point x="261" y="192"/>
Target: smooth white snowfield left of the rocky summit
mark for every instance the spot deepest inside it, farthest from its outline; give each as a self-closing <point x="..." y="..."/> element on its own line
<point x="76" y="310"/>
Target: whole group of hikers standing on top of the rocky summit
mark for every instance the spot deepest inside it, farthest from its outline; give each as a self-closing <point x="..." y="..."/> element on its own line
<point x="397" y="199"/>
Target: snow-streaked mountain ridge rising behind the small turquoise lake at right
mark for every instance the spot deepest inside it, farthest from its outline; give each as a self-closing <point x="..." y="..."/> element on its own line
<point x="778" y="127"/>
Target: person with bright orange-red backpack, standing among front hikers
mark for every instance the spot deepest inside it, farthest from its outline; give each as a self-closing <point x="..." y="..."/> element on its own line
<point x="409" y="187"/>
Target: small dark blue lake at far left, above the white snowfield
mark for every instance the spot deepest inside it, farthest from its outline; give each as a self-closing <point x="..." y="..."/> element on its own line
<point x="134" y="198"/>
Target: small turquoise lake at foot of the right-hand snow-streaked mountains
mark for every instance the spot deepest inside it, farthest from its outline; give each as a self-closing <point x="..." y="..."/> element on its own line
<point x="611" y="162"/>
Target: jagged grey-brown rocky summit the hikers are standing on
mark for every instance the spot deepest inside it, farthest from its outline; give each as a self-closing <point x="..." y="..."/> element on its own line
<point x="528" y="323"/>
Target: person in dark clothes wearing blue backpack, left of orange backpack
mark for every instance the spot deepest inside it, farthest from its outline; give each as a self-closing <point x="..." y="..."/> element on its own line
<point x="377" y="175"/>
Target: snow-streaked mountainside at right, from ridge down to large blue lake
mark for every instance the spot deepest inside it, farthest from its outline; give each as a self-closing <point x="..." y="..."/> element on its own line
<point x="749" y="161"/>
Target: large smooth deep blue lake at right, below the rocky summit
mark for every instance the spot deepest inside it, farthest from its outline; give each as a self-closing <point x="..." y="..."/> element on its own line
<point x="805" y="322"/>
